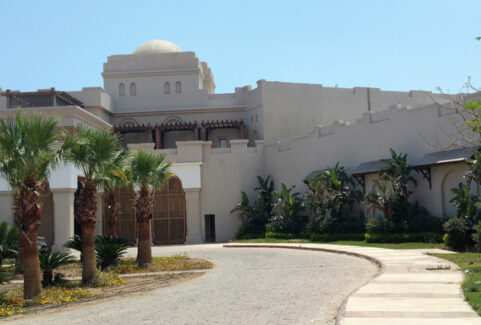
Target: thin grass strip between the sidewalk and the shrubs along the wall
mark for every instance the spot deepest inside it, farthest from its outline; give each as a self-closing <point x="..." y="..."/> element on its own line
<point x="348" y="242"/>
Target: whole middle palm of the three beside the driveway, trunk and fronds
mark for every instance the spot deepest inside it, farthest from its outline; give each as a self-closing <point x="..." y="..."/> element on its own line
<point x="94" y="152"/>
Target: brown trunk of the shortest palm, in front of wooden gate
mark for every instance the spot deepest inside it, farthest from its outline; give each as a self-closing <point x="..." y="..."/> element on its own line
<point x="143" y="206"/>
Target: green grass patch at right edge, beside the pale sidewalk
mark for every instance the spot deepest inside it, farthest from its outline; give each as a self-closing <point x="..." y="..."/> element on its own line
<point x="470" y="263"/>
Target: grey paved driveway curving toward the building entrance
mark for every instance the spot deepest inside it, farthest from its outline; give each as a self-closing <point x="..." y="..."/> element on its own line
<point x="246" y="286"/>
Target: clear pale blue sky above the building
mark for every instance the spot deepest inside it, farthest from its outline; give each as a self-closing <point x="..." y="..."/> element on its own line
<point x="392" y="45"/>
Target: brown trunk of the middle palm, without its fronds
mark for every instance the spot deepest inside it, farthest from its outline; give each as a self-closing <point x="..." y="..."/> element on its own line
<point x="85" y="215"/>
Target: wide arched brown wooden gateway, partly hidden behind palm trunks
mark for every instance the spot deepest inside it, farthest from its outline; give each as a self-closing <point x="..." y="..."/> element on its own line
<point x="168" y="222"/>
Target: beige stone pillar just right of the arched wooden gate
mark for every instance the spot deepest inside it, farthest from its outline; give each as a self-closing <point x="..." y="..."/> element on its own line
<point x="193" y="217"/>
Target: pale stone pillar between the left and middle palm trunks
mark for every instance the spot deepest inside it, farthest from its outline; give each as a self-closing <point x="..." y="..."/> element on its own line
<point x="63" y="221"/>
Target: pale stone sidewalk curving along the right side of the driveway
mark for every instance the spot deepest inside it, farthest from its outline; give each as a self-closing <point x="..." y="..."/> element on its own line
<point x="405" y="291"/>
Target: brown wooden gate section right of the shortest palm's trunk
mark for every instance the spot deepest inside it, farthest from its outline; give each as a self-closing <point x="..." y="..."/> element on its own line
<point x="168" y="222"/>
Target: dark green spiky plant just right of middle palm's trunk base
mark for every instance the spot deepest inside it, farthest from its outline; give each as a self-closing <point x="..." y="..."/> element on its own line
<point x="109" y="250"/>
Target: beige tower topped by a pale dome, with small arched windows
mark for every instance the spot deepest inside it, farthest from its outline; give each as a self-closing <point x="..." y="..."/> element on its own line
<point x="157" y="75"/>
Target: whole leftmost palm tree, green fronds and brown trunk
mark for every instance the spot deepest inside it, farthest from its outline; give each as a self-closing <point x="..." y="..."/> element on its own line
<point x="28" y="149"/>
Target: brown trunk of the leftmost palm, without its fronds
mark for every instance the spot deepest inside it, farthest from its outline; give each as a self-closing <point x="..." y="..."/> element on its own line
<point x="28" y="209"/>
